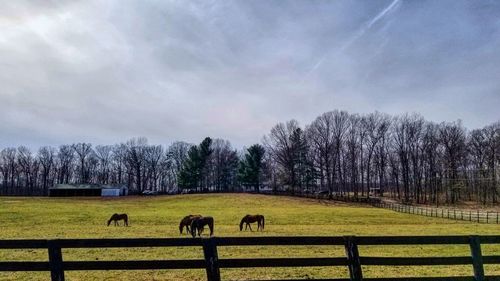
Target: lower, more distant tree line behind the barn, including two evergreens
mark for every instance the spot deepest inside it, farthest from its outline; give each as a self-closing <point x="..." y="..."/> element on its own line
<point x="213" y="165"/>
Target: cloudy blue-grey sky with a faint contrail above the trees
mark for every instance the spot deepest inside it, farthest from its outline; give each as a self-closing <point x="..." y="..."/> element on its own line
<point x="107" y="71"/>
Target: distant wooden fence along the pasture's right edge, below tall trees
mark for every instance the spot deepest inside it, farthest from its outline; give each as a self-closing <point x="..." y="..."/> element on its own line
<point x="454" y="214"/>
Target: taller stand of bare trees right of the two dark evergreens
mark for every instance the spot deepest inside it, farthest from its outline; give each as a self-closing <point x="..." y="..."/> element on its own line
<point x="405" y="157"/>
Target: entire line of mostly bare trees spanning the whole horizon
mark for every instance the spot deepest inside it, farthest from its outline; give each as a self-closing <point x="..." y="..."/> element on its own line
<point x="405" y="157"/>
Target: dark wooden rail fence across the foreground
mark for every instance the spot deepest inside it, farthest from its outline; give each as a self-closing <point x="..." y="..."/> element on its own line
<point x="212" y="264"/>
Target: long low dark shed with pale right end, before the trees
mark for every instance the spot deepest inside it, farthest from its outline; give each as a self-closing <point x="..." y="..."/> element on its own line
<point x="63" y="190"/>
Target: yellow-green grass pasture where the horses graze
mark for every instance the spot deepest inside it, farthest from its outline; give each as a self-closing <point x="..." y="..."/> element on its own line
<point x="159" y="217"/>
